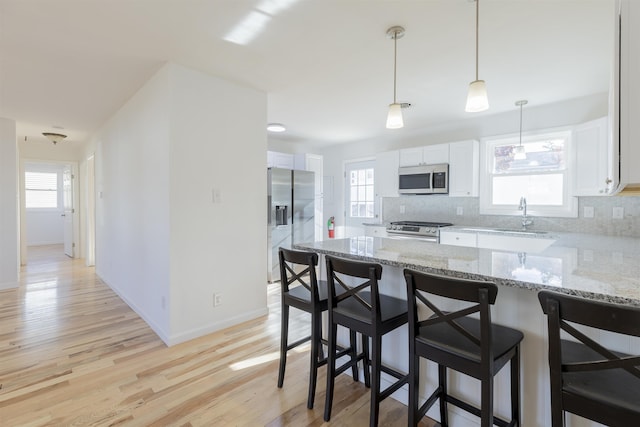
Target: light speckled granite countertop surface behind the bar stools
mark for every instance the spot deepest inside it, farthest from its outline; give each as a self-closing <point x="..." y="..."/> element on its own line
<point x="594" y="266"/>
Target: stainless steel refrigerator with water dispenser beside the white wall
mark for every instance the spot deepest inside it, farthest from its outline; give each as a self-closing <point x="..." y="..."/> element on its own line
<point x="291" y="206"/>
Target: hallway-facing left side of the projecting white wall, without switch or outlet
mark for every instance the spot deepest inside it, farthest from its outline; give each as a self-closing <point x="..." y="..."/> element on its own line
<point x="132" y="203"/>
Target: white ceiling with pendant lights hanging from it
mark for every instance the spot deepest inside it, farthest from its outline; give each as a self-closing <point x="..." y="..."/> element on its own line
<point x="326" y="65"/>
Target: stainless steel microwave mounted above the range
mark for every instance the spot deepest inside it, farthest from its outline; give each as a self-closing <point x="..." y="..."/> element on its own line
<point x="424" y="179"/>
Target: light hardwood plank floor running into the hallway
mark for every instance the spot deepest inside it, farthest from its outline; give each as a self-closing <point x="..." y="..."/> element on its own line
<point x="72" y="353"/>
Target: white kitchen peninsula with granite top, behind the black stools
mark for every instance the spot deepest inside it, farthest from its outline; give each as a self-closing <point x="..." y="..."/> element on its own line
<point x="593" y="266"/>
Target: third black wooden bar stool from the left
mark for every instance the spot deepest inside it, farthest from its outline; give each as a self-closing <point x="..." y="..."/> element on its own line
<point x="472" y="346"/>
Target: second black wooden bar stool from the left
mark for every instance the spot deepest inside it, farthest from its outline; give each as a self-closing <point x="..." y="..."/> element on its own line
<point x="360" y="307"/>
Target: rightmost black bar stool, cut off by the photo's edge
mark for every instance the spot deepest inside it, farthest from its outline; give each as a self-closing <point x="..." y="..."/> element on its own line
<point x="587" y="379"/>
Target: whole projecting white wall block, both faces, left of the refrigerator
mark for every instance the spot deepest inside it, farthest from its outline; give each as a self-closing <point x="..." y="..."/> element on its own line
<point x="162" y="242"/>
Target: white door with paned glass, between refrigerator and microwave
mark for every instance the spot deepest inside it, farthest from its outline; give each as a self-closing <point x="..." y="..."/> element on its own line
<point x="360" y="196"/>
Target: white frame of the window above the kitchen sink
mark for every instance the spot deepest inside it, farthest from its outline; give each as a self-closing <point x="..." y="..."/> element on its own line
<point x="569" y="207"/>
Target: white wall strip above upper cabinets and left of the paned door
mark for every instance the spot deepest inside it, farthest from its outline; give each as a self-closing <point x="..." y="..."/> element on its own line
<point x="475" y="127"/>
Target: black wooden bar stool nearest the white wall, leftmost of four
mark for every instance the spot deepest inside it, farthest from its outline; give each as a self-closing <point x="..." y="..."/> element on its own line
<point x="299" y="268"/>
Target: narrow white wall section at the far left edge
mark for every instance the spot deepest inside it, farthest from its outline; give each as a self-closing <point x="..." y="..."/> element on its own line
<point x="8" y="205"/>
